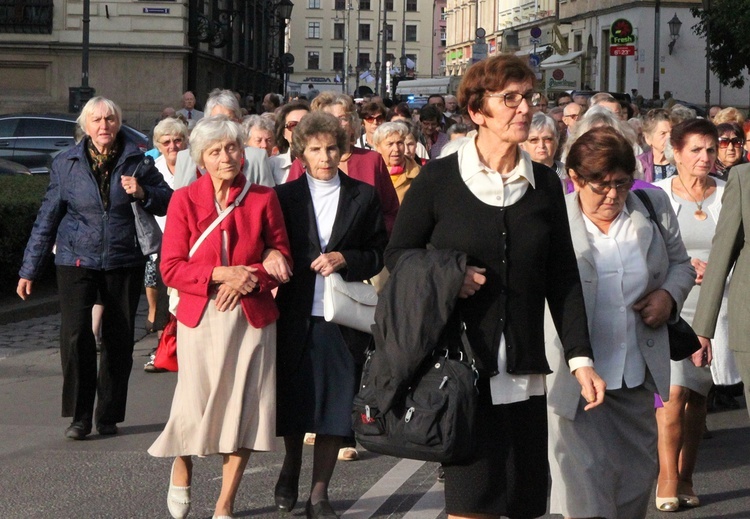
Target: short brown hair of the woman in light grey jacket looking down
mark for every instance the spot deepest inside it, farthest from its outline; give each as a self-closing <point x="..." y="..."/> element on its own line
<point x="599" y="152"/>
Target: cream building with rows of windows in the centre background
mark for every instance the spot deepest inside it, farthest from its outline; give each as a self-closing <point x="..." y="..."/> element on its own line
<point x="338" y="44"/>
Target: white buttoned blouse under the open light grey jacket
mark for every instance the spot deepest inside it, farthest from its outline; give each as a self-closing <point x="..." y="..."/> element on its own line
<point x="622" y="275"/>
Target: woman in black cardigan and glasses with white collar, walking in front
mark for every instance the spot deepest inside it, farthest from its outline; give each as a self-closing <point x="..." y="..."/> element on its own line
<point x="508" y="215"/>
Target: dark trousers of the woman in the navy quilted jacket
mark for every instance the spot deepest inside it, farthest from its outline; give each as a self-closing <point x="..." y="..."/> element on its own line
<point x="120" y="291"/>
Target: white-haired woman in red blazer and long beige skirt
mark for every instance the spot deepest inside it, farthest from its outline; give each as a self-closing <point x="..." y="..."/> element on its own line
<point x="225" y="399"/>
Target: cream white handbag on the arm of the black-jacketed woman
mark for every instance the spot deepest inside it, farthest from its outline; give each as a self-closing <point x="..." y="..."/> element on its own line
<point x="349" y="303"/>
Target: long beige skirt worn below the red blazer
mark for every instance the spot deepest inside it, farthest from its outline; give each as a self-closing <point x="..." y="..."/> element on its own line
<point x="225" y="397"/>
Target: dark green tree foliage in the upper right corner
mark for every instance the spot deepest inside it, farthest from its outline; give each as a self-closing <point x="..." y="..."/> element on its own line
<point x="725" y="24"/>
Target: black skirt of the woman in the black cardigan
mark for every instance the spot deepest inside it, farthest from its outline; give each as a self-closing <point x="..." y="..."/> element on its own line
<point x="508" y="474"/>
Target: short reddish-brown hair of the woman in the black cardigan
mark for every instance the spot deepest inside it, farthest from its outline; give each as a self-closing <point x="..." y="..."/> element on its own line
<point x="492" y="75"/>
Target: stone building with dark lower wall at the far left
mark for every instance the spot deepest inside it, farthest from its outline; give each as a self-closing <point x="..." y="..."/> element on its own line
<point x="142" y="54"/>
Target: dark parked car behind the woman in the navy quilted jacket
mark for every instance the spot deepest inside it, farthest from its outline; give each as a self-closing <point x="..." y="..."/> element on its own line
<point x="34" y="140"/>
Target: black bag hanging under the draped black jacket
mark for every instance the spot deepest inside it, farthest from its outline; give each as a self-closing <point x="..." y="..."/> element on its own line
<point x="432" y="421"/>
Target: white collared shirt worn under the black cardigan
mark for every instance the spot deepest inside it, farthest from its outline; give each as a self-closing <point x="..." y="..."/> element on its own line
<point x="501" y="190"/>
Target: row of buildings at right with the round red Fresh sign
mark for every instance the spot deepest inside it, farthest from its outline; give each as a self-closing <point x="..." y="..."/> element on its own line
<point x="570" y="43"/>
